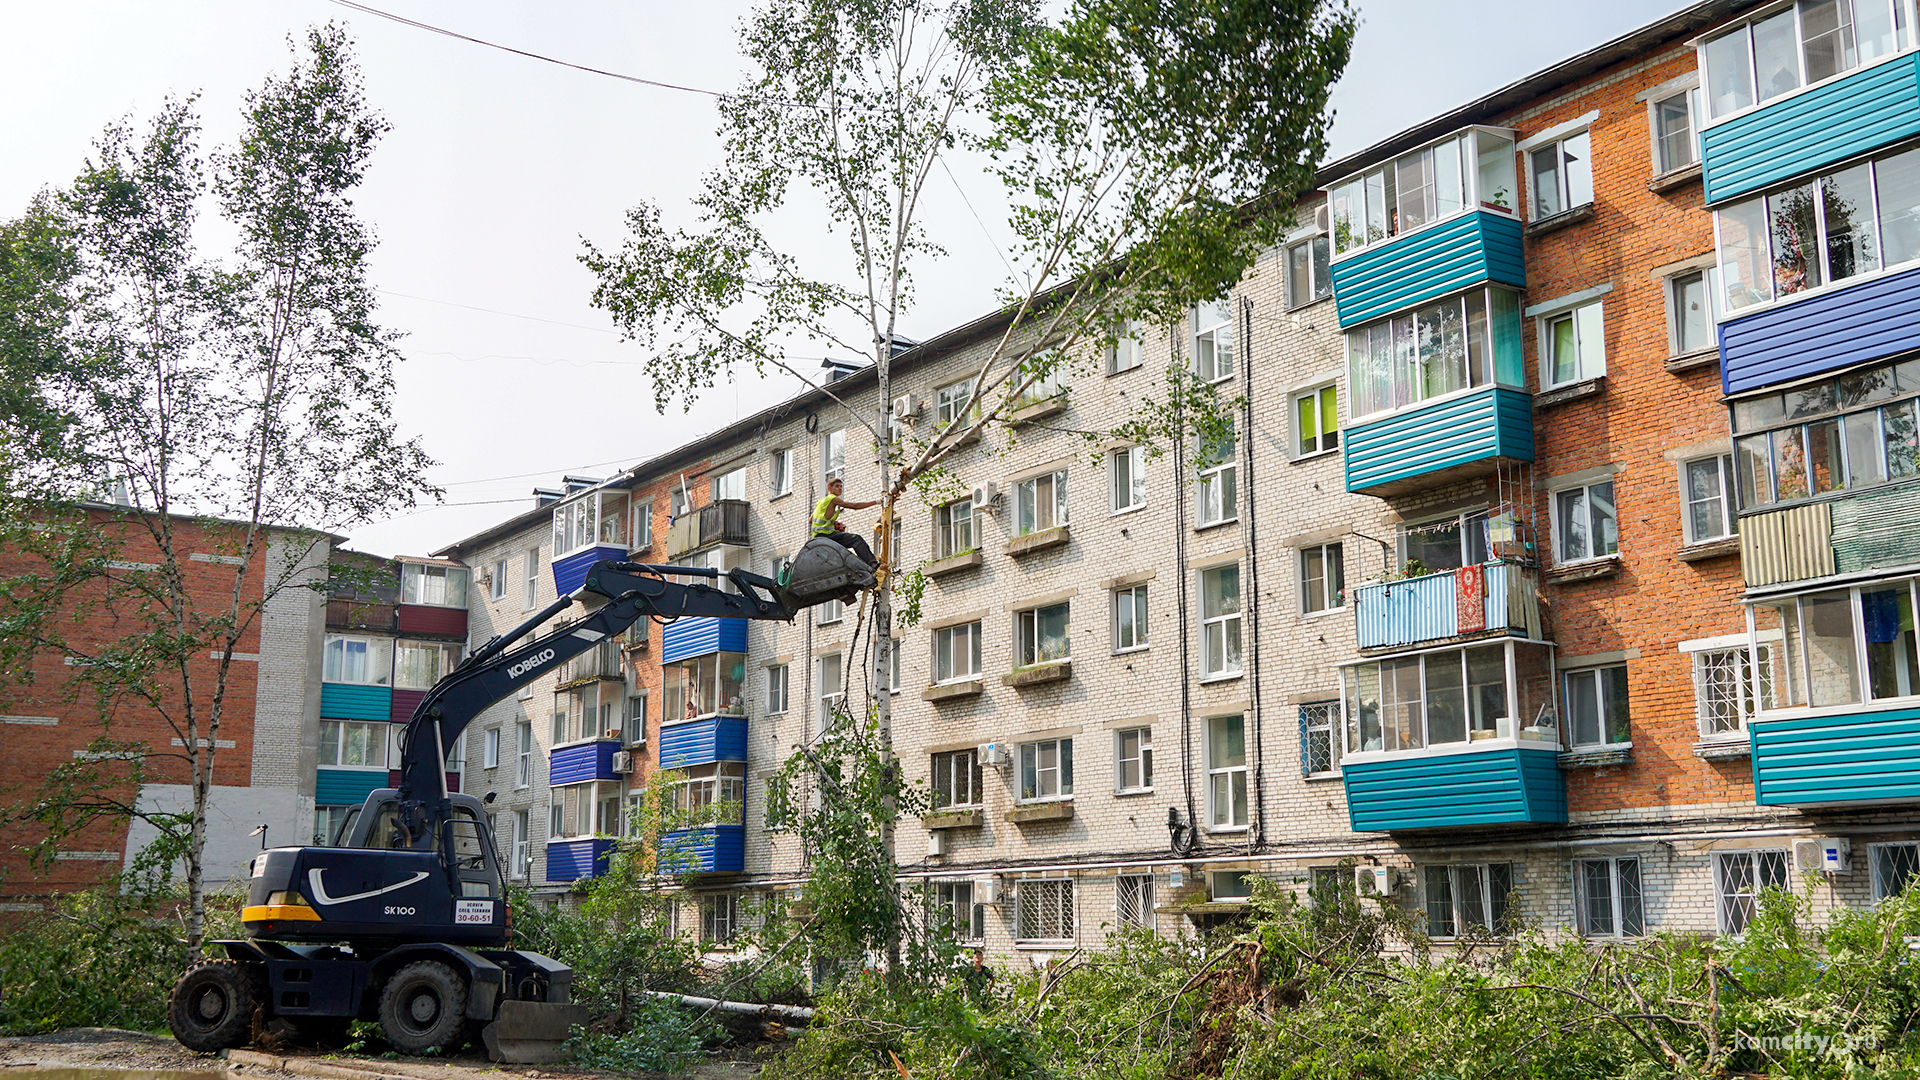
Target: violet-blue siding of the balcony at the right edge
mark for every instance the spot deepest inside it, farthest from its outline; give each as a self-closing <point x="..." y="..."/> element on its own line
<point x="1823" y="333"/>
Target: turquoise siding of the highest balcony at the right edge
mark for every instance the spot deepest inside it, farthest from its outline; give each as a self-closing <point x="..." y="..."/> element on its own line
<point x="1806" y="134"/>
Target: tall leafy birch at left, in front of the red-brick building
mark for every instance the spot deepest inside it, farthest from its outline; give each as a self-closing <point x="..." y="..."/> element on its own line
<point x="252" y="395"/>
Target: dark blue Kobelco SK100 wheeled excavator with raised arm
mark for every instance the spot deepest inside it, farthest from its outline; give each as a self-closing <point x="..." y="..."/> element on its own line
<point x="404" y="920"/>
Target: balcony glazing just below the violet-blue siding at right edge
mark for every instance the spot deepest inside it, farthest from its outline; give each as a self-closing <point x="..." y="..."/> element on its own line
<point x="1833" y="437"/>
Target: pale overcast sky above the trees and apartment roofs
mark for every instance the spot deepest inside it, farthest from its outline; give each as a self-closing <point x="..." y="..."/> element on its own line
<point x="498" y="166"/>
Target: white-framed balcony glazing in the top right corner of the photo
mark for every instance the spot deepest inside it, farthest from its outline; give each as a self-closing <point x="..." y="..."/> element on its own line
<point x="1790" y="49"/>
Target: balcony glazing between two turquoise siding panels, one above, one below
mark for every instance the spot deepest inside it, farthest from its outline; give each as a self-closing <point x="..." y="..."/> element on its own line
<point x="1452" y="345"/>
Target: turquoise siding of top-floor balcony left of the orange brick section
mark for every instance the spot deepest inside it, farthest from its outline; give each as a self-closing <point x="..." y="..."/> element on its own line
<point x="1426" y="266"/>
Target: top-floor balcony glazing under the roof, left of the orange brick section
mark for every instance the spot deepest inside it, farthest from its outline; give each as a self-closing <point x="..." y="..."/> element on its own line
<point x="1472" y="170"/>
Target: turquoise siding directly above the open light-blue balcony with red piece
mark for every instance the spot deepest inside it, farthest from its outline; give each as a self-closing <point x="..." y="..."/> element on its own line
<point x="1456" y="437"/>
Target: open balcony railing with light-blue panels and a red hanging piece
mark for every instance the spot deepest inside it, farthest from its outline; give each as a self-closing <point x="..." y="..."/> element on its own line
<point x="1454" y="604"/>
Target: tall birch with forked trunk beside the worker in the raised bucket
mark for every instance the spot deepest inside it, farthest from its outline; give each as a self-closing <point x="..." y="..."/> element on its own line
<point x="1145" y="149"/>
